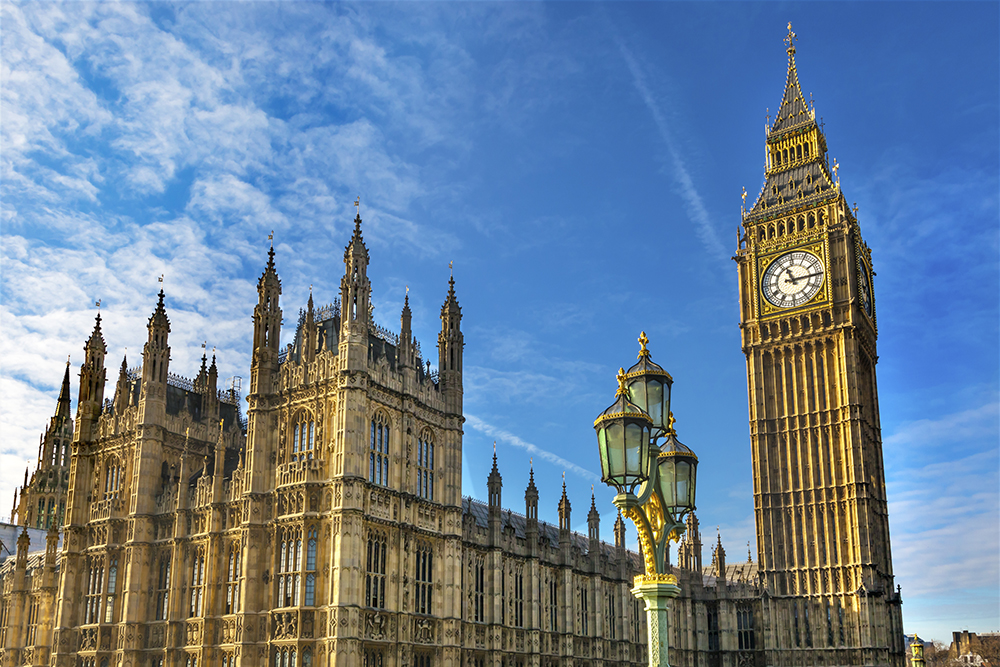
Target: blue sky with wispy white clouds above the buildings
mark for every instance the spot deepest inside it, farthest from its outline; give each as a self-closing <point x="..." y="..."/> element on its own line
<point x="582" y="166"/>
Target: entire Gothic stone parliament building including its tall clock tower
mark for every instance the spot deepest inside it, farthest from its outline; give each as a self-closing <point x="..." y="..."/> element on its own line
<point x="163" y="527"/>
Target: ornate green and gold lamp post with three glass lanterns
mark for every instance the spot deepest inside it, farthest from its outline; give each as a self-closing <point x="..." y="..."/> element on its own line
<point x="654" y="475"/>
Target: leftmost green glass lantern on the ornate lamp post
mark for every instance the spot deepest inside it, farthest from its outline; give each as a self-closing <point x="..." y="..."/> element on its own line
<point x="623" y="438"/>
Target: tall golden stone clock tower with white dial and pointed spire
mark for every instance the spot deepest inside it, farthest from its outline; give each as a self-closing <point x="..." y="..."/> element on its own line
<point x="809" y="329"/>
